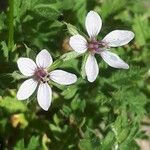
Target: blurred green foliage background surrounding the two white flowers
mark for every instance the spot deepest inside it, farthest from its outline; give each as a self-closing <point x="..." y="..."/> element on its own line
<point x="111" y="113"/>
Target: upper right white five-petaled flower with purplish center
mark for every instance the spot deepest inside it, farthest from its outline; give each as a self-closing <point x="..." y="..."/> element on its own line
<point x="115" y="38"/>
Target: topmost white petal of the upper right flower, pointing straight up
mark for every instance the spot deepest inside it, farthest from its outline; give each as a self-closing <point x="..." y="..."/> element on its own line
<point x="93" y="24"/>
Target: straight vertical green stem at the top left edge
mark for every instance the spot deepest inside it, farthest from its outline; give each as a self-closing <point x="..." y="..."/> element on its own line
<point x="11" y="25"/>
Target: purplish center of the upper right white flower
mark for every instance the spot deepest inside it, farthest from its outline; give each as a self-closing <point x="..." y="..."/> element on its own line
<point x="96" y="46"/>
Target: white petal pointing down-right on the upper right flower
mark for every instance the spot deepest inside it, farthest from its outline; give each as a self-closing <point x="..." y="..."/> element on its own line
<point x="114" y="60"/>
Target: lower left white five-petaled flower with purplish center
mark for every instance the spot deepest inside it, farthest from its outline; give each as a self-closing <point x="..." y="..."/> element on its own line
<point x="39" y="77"/>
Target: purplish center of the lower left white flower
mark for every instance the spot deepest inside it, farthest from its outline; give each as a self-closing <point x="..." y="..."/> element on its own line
<point x="41" y="75"/>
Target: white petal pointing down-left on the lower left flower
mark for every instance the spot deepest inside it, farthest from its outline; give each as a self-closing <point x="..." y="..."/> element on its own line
<point x="26" y="89"/>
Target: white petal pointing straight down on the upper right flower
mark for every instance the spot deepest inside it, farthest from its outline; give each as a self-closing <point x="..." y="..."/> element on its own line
<point x="91" y="68"/>
